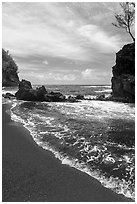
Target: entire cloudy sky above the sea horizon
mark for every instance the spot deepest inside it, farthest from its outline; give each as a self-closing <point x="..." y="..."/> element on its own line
<point x="63" y="43"/>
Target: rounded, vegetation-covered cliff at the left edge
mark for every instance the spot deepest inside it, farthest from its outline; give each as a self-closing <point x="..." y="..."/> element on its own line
<point x="9" y="70"/>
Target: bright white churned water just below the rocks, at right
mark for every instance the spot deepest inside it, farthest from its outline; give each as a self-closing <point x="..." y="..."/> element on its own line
<point x="100" y="110"/>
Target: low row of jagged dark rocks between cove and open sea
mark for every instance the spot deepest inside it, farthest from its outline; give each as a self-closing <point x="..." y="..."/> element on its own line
<point x="27" y="93"/>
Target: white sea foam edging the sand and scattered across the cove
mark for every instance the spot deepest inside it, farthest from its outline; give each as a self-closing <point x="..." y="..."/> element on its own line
<point x="118" y="186"/>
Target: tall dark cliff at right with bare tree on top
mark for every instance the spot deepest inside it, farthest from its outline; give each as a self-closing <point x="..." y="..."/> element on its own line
<point x="123" y="80"/>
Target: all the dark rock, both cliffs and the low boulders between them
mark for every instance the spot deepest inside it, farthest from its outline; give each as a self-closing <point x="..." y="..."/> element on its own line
<point x="123" y="81"/>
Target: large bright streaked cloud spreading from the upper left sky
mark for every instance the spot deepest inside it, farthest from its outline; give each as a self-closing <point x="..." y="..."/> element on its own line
<point x="49" y="29"/>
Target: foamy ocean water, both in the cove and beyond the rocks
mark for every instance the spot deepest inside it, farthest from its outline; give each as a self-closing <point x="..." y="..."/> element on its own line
<point x="96" y="137"/>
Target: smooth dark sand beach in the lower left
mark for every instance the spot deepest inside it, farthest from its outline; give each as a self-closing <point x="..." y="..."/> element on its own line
<point x="33" y="174"/>
